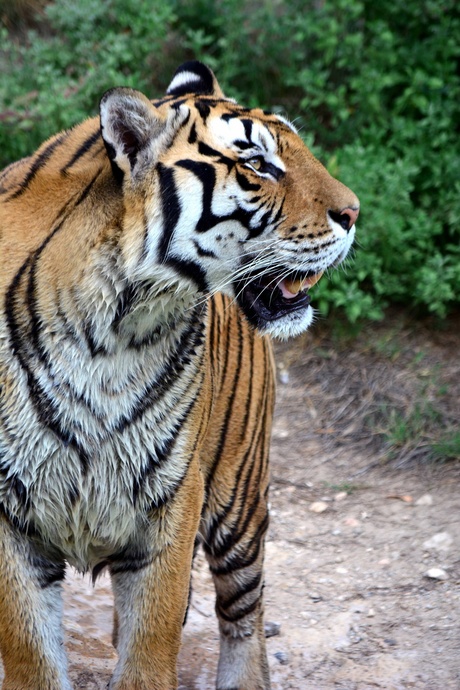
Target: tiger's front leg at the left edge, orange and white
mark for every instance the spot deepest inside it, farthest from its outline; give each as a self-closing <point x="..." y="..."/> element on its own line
<point x="31" y="637"/>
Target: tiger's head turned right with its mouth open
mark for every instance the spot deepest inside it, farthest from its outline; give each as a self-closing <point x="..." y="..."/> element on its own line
<point x="232" y="200"/>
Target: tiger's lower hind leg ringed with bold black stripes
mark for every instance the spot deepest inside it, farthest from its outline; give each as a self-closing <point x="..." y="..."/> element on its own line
<point x="236" y="558"/>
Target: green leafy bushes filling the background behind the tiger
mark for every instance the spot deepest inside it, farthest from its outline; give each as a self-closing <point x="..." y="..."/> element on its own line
<point x="374" y="86"/>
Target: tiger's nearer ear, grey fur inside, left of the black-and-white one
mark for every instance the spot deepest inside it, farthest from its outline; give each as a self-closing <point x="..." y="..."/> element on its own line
<point x="134" y="133"/>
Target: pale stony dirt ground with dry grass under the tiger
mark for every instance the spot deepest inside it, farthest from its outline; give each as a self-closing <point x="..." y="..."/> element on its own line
<point x="362" y="564"/>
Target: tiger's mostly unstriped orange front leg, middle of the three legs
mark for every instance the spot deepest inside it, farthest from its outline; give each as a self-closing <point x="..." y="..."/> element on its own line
<point x="151" y="593"/>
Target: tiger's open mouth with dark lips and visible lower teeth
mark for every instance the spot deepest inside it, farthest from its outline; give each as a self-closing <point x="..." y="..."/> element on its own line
<point x="270" y="297"/>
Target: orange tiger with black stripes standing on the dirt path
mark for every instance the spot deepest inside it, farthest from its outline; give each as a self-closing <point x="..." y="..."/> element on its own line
<point x="148" y="258"/>
